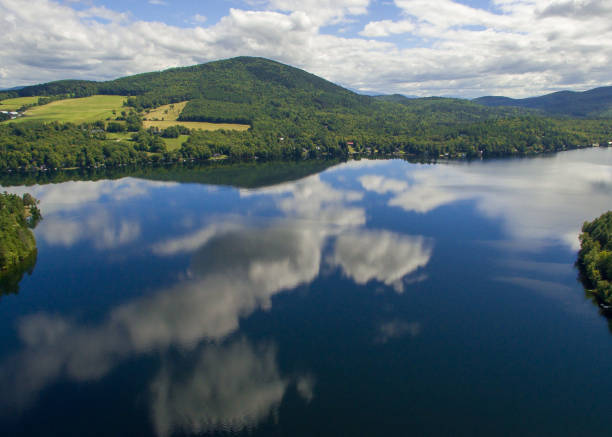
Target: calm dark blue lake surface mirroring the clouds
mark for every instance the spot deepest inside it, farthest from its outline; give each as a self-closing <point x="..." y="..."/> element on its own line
<point x="373" y="298"/>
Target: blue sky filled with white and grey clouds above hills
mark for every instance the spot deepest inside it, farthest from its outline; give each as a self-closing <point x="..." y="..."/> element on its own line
<point x="461" y="48"/>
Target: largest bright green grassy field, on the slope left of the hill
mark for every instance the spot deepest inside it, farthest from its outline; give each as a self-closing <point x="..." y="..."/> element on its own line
<point x="82" y="110"/>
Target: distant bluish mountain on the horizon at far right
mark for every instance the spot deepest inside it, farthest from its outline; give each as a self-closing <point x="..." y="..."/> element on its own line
<point x="593" y="103"/>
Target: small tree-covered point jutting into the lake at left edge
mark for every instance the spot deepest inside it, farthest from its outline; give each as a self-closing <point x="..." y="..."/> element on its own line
<point x="17" y="216"/>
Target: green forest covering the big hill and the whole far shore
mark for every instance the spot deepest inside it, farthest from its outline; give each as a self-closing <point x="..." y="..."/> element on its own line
<point x="293" y="115"/>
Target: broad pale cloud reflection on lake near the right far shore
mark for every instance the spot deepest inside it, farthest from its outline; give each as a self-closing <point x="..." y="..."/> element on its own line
<point x="540" y="201"/>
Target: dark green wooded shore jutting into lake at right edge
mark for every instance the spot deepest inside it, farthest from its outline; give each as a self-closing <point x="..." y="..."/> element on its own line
<point x="595" y="257"/>
